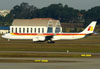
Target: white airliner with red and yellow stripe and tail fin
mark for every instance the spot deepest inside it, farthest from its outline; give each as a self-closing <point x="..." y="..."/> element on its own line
<point x="51" y="37"/>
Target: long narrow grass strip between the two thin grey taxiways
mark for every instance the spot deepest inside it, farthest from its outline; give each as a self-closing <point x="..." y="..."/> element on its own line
<point x="45" y="55"/>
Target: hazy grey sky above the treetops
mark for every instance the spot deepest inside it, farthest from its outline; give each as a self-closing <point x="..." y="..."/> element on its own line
<point x="77" y="4"/>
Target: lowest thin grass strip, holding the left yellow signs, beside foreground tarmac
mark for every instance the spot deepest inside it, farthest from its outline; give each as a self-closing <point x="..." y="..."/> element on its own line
<point x="34" y="61"/>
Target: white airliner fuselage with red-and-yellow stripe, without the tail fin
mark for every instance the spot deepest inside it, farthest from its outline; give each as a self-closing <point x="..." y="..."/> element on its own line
<point x="41" y="37"/>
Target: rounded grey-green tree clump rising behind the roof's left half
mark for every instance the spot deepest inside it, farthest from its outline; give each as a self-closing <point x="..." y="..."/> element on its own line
<point x="22" y="11"/>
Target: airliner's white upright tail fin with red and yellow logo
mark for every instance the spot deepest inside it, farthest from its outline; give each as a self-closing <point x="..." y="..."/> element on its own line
<point x="90" y="28"/>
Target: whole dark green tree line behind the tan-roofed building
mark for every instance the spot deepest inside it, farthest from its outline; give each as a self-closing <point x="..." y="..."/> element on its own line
<point x="64" y="13"/>
